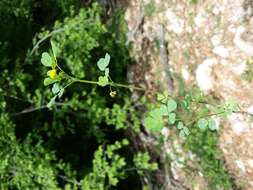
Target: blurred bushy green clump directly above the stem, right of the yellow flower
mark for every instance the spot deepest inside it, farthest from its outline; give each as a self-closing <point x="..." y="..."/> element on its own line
<point x="79" y="35"/>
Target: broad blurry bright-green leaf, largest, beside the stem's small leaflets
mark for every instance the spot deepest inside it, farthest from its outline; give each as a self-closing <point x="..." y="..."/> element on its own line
<point x="154" y="120"/>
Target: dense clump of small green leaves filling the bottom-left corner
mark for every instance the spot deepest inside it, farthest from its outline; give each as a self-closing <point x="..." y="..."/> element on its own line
<point x="23" y="165"/>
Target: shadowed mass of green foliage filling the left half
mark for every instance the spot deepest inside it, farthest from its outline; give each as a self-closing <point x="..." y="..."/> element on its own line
<point x="34" y="141"/>
